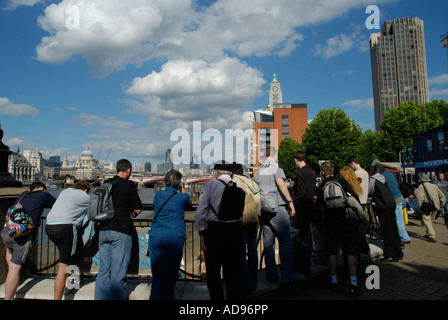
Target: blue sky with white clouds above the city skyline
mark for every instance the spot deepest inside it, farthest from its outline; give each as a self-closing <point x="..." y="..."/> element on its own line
<point x="122" y="76"/>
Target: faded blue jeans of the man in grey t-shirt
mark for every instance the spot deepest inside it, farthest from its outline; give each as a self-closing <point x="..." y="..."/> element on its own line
<point x="278" y="228"/>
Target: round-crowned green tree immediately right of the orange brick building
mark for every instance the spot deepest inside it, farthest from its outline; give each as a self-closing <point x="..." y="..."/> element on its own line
<point x="332" y="136"/>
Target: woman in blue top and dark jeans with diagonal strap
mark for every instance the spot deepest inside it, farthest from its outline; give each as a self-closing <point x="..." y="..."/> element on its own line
<point x="167" y="236"/>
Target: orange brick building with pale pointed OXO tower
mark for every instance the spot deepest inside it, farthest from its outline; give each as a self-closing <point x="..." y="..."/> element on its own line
<point x="278" y="121"/>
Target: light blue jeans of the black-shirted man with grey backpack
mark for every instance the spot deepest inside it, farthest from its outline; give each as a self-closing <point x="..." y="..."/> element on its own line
<point x="115" y="254"/>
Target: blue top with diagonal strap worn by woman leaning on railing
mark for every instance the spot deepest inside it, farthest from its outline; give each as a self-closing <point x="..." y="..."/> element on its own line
<point x="170" y="221"/>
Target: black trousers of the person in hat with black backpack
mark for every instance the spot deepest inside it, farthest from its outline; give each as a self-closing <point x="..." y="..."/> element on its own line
<point x="223" y="250"/>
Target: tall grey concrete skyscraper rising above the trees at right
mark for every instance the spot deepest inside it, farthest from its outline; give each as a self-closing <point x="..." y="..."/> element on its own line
<point x="399" y="71"/>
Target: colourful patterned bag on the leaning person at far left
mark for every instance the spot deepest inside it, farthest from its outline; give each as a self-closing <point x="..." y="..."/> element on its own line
<point x="18" y="222"/>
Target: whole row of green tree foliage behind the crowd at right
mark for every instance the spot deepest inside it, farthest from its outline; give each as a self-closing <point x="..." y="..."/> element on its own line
<point x="333" y="136"/>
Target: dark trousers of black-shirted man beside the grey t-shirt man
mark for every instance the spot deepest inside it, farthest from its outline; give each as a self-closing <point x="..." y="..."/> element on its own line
<point x="301" y="240"/>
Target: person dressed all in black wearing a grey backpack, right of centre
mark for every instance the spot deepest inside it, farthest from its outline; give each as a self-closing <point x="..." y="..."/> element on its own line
<point x="338" y="232"/>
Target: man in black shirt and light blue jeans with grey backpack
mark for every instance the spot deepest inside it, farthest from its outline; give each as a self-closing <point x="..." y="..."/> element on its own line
<point x="115" y="236"/>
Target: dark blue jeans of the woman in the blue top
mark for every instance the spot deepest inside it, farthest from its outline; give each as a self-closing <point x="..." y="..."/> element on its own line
<point x="165" y="253"/>
